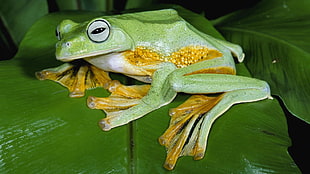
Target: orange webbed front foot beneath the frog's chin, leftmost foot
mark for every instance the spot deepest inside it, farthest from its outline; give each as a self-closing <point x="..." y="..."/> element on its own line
<point x="77" y="77"/>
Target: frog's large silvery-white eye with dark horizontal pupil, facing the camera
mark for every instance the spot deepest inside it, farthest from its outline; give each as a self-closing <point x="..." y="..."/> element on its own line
<point x="98" y="30"/>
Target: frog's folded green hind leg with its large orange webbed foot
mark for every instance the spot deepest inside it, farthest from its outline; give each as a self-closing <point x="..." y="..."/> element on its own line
<point x="191" y="122"/>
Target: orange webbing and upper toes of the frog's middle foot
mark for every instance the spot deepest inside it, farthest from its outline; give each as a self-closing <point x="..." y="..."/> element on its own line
<point x="122" y="98"/>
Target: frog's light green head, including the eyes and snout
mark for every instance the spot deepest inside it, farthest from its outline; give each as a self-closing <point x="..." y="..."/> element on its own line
<point x="97" y="37"/>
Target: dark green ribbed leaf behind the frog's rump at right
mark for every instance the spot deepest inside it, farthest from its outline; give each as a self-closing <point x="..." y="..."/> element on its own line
<point x="275" y="37"/>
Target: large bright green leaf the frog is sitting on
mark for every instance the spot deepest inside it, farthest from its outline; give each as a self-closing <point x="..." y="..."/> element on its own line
<point x="42" y="130"/>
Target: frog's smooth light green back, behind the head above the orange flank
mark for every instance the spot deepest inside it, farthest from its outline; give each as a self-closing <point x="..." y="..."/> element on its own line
<point x="162" y="30"/>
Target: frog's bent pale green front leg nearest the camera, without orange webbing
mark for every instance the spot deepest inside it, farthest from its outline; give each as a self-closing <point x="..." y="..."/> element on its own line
<point x="158" y="95"/>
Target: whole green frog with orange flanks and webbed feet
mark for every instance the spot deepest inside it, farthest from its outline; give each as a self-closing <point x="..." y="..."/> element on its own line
<point x="160" y="48"/>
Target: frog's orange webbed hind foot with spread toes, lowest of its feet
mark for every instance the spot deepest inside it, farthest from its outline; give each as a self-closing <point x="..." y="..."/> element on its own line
<point x="181" y="137"/>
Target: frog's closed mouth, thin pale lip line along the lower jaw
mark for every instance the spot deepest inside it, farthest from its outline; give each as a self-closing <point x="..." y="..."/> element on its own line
<point x="70" y="57"/>
